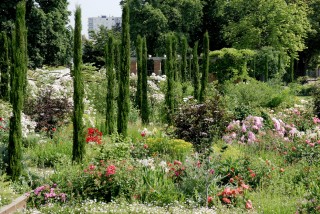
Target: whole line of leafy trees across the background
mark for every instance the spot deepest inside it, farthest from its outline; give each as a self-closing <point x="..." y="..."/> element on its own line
<point x="289" y="27"/>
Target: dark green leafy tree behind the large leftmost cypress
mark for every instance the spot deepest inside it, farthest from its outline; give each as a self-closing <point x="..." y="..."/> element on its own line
<point x="48" y="37"/>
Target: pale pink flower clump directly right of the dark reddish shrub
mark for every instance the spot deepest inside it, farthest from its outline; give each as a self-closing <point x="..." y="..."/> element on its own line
<point x="244" y="132"/>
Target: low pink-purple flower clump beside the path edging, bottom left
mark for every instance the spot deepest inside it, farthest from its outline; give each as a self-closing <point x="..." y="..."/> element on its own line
<point x="46" y="194"/>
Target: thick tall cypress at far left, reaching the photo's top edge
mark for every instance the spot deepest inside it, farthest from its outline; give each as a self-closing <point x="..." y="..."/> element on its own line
<point x="18" y="80"/>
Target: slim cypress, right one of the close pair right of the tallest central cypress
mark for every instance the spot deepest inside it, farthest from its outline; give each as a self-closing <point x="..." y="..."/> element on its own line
<point x="144" y="85"/>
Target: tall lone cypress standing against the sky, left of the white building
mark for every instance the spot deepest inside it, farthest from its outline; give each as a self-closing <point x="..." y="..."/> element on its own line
<point x="78" y="109"/>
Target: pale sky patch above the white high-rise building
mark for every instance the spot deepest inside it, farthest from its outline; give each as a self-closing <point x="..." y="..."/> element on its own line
<point x="93" y="8"/>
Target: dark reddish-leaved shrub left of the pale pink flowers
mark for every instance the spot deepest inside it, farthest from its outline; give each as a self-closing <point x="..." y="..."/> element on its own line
<point x="198" y="123"/>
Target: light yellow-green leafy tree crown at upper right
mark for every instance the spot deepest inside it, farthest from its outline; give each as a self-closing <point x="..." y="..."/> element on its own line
<point x="258" y="23"/>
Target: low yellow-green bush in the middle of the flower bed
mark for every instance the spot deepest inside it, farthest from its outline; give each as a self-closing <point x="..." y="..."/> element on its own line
<point x="175" y="148"/>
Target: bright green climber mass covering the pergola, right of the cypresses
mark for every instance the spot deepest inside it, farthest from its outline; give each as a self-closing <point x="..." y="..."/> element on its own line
<point x="230" y="63"/>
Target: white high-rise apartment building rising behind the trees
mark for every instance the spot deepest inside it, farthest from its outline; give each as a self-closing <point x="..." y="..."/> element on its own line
<point x="107" y="21"/>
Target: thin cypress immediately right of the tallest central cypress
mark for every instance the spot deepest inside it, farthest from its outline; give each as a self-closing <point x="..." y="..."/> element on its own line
<point x="139" y="72"/>
